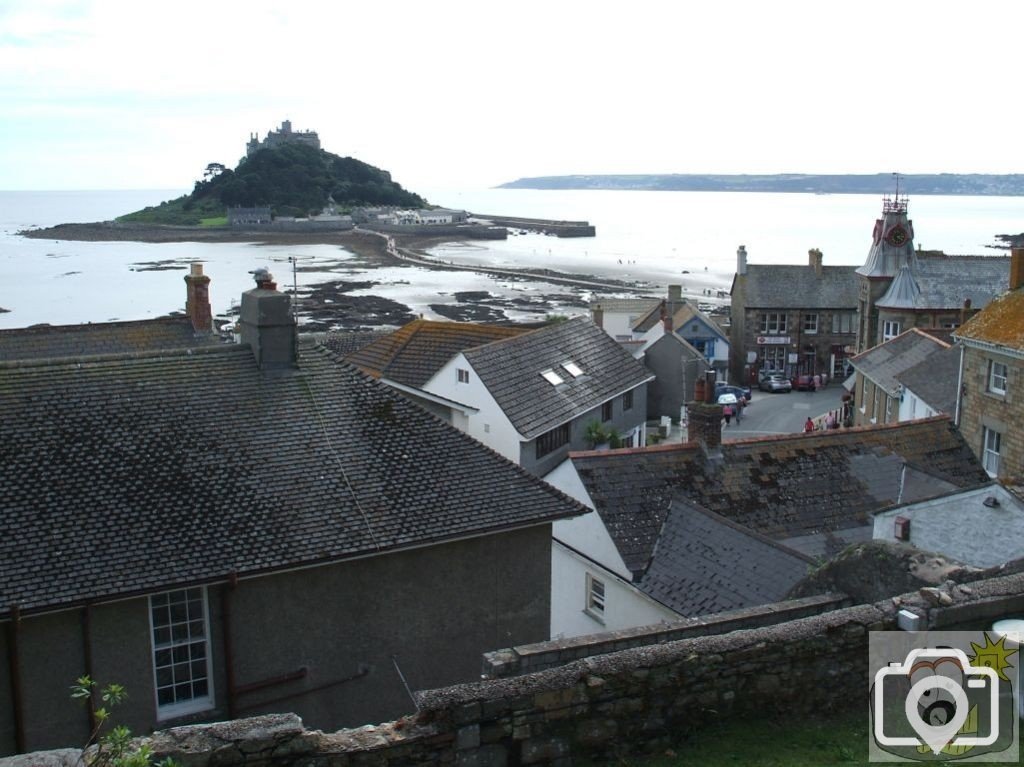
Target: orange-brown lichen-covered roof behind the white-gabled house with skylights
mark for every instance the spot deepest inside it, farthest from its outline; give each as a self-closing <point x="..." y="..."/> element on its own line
<point x="416" y="352"/>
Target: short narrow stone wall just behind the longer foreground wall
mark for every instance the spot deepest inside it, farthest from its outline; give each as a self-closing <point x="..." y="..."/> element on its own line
<point x="540" y="656"/>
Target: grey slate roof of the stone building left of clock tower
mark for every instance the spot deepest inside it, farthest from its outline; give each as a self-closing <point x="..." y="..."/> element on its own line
<point x="796" y="287"/>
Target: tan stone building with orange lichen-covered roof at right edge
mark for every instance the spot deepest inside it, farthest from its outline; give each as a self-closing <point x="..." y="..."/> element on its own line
<point x="992" y="379"/>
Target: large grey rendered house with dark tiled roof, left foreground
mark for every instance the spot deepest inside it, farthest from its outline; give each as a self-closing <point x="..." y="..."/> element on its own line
<point x="229" y="530"/>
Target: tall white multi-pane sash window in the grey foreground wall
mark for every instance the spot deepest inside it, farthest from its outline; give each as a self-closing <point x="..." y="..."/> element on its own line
<point x="168" y="643"/>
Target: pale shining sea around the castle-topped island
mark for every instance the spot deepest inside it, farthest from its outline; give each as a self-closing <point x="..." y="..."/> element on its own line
<point x="647" y="239"/>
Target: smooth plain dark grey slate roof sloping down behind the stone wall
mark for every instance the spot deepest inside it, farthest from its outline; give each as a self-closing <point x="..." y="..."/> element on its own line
<point x="705" y="564"/>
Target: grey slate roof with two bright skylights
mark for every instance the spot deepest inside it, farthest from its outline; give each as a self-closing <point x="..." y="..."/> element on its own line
<point x="511" y="371"/>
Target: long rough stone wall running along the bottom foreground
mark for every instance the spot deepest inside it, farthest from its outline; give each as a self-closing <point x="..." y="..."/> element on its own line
<point x="605" y="707"/>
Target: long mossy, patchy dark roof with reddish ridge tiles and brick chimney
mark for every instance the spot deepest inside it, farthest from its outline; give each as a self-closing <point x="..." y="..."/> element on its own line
<point x="782" y="487"/>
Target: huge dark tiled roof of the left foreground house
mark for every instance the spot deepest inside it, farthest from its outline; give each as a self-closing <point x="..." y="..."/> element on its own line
<point x="119" y="477"/>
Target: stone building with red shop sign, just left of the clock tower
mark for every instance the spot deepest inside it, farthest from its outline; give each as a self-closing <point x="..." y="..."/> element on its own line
<point x="792" y="319"/>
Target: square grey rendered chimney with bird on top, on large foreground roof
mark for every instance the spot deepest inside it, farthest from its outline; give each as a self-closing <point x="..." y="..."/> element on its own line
<point x="268" y="325"/>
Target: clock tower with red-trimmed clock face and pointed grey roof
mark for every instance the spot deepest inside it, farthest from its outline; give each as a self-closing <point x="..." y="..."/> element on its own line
<point x="892" y="249"/>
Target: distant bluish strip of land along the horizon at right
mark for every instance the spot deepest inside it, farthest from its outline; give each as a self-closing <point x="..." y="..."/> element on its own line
<point x="975" y="185"/>
